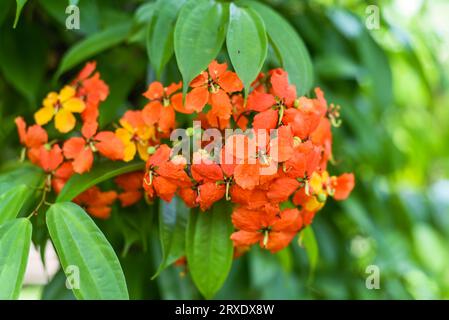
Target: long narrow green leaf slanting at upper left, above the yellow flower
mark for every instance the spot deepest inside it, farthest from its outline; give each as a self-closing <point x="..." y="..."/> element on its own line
<point x="93" y="45"/>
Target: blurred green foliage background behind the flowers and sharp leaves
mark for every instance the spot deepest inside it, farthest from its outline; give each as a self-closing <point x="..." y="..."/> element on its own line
<point x="392" y="85"/>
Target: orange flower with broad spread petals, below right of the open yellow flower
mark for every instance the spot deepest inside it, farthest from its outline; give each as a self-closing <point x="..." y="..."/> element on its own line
<point x="81" y="149"/>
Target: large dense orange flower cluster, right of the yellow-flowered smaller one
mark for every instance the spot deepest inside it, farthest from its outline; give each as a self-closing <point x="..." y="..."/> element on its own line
<point x="257" y="171"/>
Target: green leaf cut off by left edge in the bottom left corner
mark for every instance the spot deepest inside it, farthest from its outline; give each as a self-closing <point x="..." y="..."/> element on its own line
<point x="15" y="240"/>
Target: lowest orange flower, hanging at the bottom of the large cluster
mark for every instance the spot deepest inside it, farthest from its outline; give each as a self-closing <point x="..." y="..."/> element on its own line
<point x="273" y="231"/>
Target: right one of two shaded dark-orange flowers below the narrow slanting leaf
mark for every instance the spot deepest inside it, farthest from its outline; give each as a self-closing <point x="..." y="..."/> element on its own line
<point x="131" y="183"/>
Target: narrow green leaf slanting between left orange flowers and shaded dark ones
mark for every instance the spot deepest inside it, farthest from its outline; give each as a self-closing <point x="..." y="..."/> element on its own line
<point x="107" y="170"/>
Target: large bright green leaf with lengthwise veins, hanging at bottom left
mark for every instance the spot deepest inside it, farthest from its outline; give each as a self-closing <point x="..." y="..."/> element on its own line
<point x="82" y="246"/>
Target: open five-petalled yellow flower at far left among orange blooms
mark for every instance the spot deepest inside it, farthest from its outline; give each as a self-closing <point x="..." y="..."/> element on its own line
<point x="61" y="106"/>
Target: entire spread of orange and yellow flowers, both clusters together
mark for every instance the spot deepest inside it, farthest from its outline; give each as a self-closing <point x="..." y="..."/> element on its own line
<point x="269" y="156"/>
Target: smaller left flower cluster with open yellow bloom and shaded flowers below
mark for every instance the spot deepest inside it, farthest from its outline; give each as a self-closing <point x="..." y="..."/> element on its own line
<point x="61" y="158"/>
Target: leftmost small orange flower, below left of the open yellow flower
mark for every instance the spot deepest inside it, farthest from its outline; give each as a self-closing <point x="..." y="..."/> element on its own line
<point x="32" y="138"/>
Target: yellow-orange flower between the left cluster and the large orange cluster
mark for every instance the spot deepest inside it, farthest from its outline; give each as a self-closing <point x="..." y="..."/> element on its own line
<point x="135" y="139"/>
